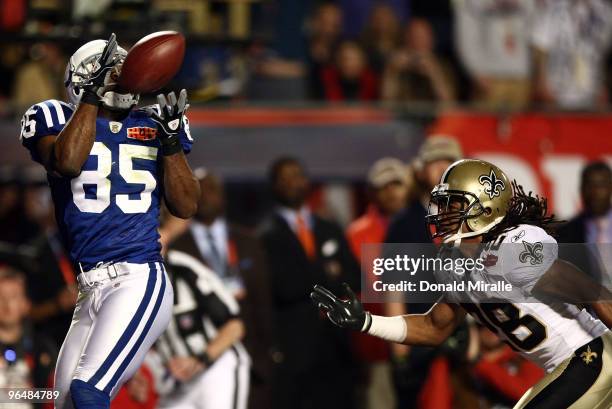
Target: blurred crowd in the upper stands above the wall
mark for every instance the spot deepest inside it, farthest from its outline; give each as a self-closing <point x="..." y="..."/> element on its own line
<point x="493" y="54"/>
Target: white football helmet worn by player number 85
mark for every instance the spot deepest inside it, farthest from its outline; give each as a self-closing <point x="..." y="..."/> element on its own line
<point x="80" y="66"/>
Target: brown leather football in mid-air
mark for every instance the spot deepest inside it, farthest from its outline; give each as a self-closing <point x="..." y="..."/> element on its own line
<point x="152" y="62"/>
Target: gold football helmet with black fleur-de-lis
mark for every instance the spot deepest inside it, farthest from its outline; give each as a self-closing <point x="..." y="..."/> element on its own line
<point x="471" y="192"/>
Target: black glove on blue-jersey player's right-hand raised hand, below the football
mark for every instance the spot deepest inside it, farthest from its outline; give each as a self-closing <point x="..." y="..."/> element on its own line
<point x="169" y="120"/>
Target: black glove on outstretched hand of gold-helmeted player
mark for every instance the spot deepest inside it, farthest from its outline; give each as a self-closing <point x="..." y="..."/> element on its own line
<point x="344" y="313"/>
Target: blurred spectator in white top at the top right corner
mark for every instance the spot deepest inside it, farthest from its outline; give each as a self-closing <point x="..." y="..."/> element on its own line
<point x="570" y="38"/>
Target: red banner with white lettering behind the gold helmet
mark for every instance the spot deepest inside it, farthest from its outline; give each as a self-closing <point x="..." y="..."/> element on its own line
<point x="543" y="152"/>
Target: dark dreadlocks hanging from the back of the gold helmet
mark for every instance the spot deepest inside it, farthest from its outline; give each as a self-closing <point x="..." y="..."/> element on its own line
<point x="524" y="209"/>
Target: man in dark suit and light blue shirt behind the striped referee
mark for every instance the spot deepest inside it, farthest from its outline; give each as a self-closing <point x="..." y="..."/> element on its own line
<point x="237" y="257"/>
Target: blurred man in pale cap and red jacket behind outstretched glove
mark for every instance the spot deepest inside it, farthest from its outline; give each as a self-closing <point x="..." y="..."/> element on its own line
<point x="388" y="191"/>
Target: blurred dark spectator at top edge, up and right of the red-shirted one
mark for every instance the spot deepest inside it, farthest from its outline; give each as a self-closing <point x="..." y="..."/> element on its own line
<point x="381" y="35"/>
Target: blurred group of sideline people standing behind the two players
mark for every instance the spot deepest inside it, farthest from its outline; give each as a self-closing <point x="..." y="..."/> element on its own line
<point x="297" y="359"/>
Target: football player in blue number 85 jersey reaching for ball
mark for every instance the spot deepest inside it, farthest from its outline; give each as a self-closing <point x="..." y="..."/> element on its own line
<point x="108" y="166"/>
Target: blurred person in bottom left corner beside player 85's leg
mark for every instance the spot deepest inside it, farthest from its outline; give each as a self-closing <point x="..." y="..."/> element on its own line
<point x="26" y="358"/>
